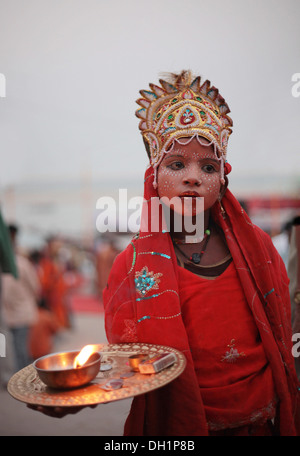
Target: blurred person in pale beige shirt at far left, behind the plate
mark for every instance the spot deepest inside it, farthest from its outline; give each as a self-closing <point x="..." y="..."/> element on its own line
<point x="19" y="299"/>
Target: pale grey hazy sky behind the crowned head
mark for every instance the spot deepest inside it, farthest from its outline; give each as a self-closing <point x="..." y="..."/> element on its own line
<point x="74" y="68"/>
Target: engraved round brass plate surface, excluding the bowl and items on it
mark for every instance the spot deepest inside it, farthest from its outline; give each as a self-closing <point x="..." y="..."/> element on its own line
<point x="27" y="387"/>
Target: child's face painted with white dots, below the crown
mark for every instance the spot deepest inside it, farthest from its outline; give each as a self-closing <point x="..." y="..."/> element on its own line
<point x="190" y="167"/>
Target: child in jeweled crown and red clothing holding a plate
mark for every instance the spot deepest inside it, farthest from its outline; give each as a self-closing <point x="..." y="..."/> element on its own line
<point x="222" y="299"/>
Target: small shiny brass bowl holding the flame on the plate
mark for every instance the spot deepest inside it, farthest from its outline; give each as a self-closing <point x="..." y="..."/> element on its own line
<point x="57" y="370"/>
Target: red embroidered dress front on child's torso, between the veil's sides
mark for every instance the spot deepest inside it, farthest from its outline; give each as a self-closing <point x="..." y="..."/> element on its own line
<point x="234" y="376"/>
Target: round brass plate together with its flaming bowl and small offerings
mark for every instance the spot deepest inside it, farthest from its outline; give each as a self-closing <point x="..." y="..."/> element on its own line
<point x="112" y="377"/>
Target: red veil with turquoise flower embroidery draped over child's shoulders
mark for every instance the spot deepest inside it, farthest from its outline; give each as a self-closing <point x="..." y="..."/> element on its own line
<point x="177" y="409"/>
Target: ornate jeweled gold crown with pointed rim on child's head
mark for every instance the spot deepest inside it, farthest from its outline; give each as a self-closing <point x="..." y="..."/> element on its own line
<point x="183" y="108"/>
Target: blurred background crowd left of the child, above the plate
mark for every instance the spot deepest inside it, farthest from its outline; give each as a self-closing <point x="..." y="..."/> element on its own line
<point x="39" y="290"/>
